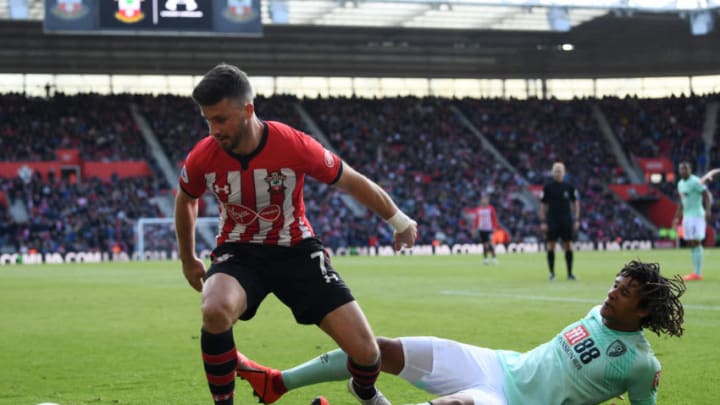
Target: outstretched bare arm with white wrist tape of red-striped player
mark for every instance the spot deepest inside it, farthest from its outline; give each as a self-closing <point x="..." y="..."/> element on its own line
<point x="372" y="196"/>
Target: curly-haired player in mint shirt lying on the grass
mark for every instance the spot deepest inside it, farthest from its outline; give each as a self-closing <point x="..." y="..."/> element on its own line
<point x="601" y="356"/>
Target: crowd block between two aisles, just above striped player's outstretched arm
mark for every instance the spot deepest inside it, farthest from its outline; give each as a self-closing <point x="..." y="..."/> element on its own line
<point x="419" y="151"/>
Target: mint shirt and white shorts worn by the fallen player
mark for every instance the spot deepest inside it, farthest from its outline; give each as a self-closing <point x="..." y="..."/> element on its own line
<point x="586" y="363"/>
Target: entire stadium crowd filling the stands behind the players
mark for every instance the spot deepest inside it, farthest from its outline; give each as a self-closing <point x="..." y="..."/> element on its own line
<point x="416" y="148"/>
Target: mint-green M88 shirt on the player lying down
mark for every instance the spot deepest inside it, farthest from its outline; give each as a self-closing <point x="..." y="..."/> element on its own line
<point x="586" y="363"/>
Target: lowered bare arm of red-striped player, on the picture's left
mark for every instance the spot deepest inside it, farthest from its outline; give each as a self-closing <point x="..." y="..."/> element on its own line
<point x="186" y="212"/>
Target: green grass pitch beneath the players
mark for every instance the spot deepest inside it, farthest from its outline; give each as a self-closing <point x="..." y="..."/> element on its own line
<point x="129" y="333"/>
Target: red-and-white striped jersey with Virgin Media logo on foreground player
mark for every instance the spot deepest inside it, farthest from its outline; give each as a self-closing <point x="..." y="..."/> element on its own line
<point x="260" y="196"/>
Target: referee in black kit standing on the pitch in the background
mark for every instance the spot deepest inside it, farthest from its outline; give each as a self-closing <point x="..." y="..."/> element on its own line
<point x="559" y="217"/>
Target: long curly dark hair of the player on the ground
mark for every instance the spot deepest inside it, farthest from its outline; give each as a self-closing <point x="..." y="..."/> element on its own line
<point x="659" y="295"/>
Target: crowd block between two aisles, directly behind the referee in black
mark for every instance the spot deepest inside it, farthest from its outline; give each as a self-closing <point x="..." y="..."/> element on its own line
<point x="532" y="134"/>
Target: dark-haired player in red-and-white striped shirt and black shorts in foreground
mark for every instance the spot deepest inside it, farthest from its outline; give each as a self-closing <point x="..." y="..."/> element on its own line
<point x="256" y="171"/>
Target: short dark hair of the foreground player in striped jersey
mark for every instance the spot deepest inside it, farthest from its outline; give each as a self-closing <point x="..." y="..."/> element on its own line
<point x="222" y="81"/>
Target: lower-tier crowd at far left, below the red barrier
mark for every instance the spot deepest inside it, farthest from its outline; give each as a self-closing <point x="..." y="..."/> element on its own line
<point x="66" y="216"/>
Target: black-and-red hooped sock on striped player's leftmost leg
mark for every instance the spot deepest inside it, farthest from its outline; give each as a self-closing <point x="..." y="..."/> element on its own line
<point x="220" y="359"/>
